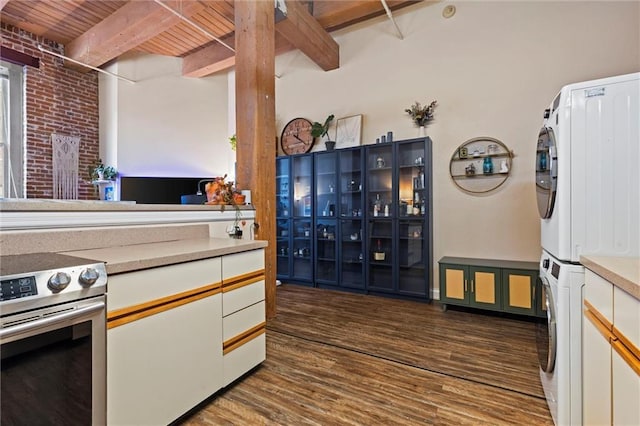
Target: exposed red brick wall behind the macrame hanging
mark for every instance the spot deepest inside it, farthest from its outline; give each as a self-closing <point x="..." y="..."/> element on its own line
<point x="58" y="100"/>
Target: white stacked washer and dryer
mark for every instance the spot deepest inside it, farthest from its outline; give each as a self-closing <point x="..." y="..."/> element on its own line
<point x="588" y="193"/>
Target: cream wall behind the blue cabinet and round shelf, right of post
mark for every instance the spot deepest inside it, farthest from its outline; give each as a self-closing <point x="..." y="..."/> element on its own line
<point x="493" y="68"/>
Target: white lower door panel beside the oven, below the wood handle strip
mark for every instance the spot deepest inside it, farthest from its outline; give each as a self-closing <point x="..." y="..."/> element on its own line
<point x="163" y="365"/>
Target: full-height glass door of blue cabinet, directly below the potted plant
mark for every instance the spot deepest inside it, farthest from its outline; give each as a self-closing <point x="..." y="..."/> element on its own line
<point x="326" y="191"/>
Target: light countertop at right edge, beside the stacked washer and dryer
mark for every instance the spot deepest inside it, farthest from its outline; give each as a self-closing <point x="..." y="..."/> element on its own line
<point x="623" y="272"/>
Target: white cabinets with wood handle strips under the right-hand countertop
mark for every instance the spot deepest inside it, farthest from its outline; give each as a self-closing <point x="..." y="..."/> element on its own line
<point x="611" y="359"/>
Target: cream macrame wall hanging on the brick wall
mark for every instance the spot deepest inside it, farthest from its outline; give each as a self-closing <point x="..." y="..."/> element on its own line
<point x="65" y="166"/>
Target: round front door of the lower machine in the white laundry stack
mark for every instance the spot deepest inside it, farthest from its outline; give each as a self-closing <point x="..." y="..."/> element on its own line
<point x="546" y="337"/>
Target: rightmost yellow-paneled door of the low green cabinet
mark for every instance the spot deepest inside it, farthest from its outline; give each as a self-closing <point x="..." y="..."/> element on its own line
<point x="519" y="291"/>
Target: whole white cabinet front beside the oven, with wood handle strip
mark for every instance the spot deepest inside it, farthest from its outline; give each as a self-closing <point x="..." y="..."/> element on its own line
<point x="164" y="341"/>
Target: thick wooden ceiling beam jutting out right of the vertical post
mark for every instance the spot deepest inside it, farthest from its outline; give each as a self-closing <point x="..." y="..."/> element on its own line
<point x="305" y="33"/>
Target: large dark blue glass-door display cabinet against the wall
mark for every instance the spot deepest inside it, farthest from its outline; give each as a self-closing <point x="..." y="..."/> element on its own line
<point x="368" y="220"/>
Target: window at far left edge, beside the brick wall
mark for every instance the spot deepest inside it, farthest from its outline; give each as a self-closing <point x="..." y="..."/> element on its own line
<point x="12" y="147"/>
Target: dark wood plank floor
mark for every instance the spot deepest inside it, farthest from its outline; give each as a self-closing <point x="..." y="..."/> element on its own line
<point x="341" y="358"/>
